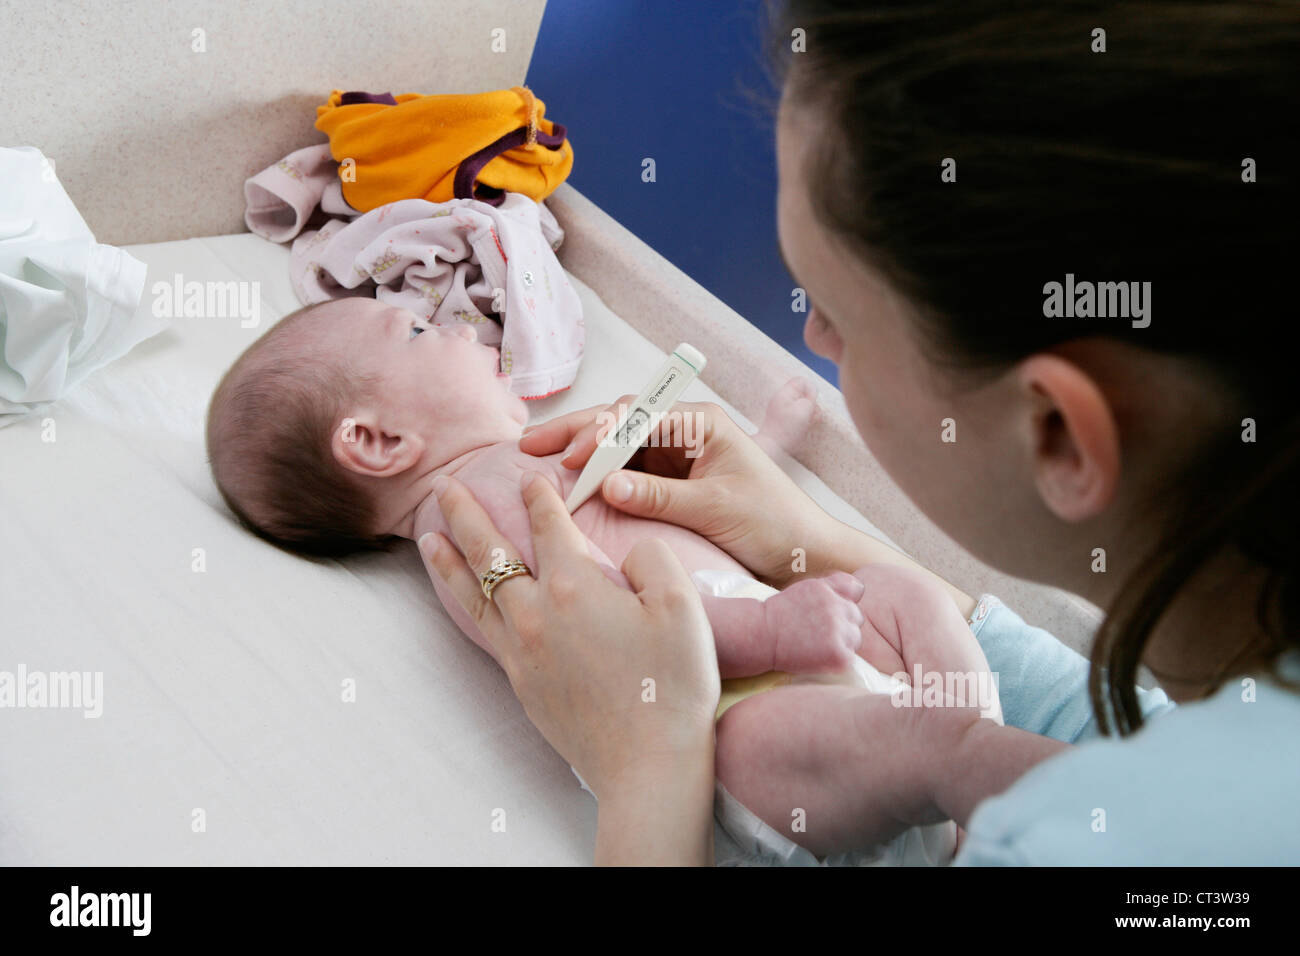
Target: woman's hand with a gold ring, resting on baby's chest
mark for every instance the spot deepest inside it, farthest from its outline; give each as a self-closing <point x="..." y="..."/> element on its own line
<point x="622" y="684"/>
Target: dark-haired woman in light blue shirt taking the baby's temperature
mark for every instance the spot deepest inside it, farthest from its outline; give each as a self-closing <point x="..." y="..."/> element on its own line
<point x="1064" y="231"/>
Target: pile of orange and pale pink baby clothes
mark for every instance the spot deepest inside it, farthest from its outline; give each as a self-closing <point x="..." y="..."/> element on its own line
<point x="435" y="205"/>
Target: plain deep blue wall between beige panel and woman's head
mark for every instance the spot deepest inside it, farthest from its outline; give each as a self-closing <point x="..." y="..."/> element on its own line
<point x="682" y="83"/>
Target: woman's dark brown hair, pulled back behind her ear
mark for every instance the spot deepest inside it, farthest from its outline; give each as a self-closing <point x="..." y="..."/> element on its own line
<point x="1171" y="158"/>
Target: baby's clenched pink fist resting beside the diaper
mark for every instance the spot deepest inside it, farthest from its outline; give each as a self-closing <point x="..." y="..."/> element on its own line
<point x="814" y="625"/>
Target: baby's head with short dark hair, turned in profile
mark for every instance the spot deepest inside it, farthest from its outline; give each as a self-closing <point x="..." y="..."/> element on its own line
<point x="324" y="435"/>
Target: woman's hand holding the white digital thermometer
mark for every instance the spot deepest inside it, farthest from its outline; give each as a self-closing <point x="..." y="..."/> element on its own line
<point x="703" y="473"/>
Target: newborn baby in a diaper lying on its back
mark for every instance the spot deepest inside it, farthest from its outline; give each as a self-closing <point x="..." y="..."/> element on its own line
<point x="327" y="435"/>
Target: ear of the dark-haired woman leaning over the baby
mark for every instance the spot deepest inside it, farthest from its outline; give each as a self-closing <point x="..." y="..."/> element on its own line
<point x="1074" y="438"/>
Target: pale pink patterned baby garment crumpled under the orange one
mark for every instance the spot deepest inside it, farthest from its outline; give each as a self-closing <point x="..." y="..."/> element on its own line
<point x="491" y="267"/>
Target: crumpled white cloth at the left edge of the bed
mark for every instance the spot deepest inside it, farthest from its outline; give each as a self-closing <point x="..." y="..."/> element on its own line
<point x="68" y="305"/>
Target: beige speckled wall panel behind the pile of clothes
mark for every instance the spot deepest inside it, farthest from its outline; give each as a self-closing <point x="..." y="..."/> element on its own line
<point x="154" y="141"/>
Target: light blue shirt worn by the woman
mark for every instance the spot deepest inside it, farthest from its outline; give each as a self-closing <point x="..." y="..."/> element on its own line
<point x="1208" y="782"/>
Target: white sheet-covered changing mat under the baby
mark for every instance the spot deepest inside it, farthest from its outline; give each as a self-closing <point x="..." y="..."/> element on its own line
<point x="252" y="707"/>
